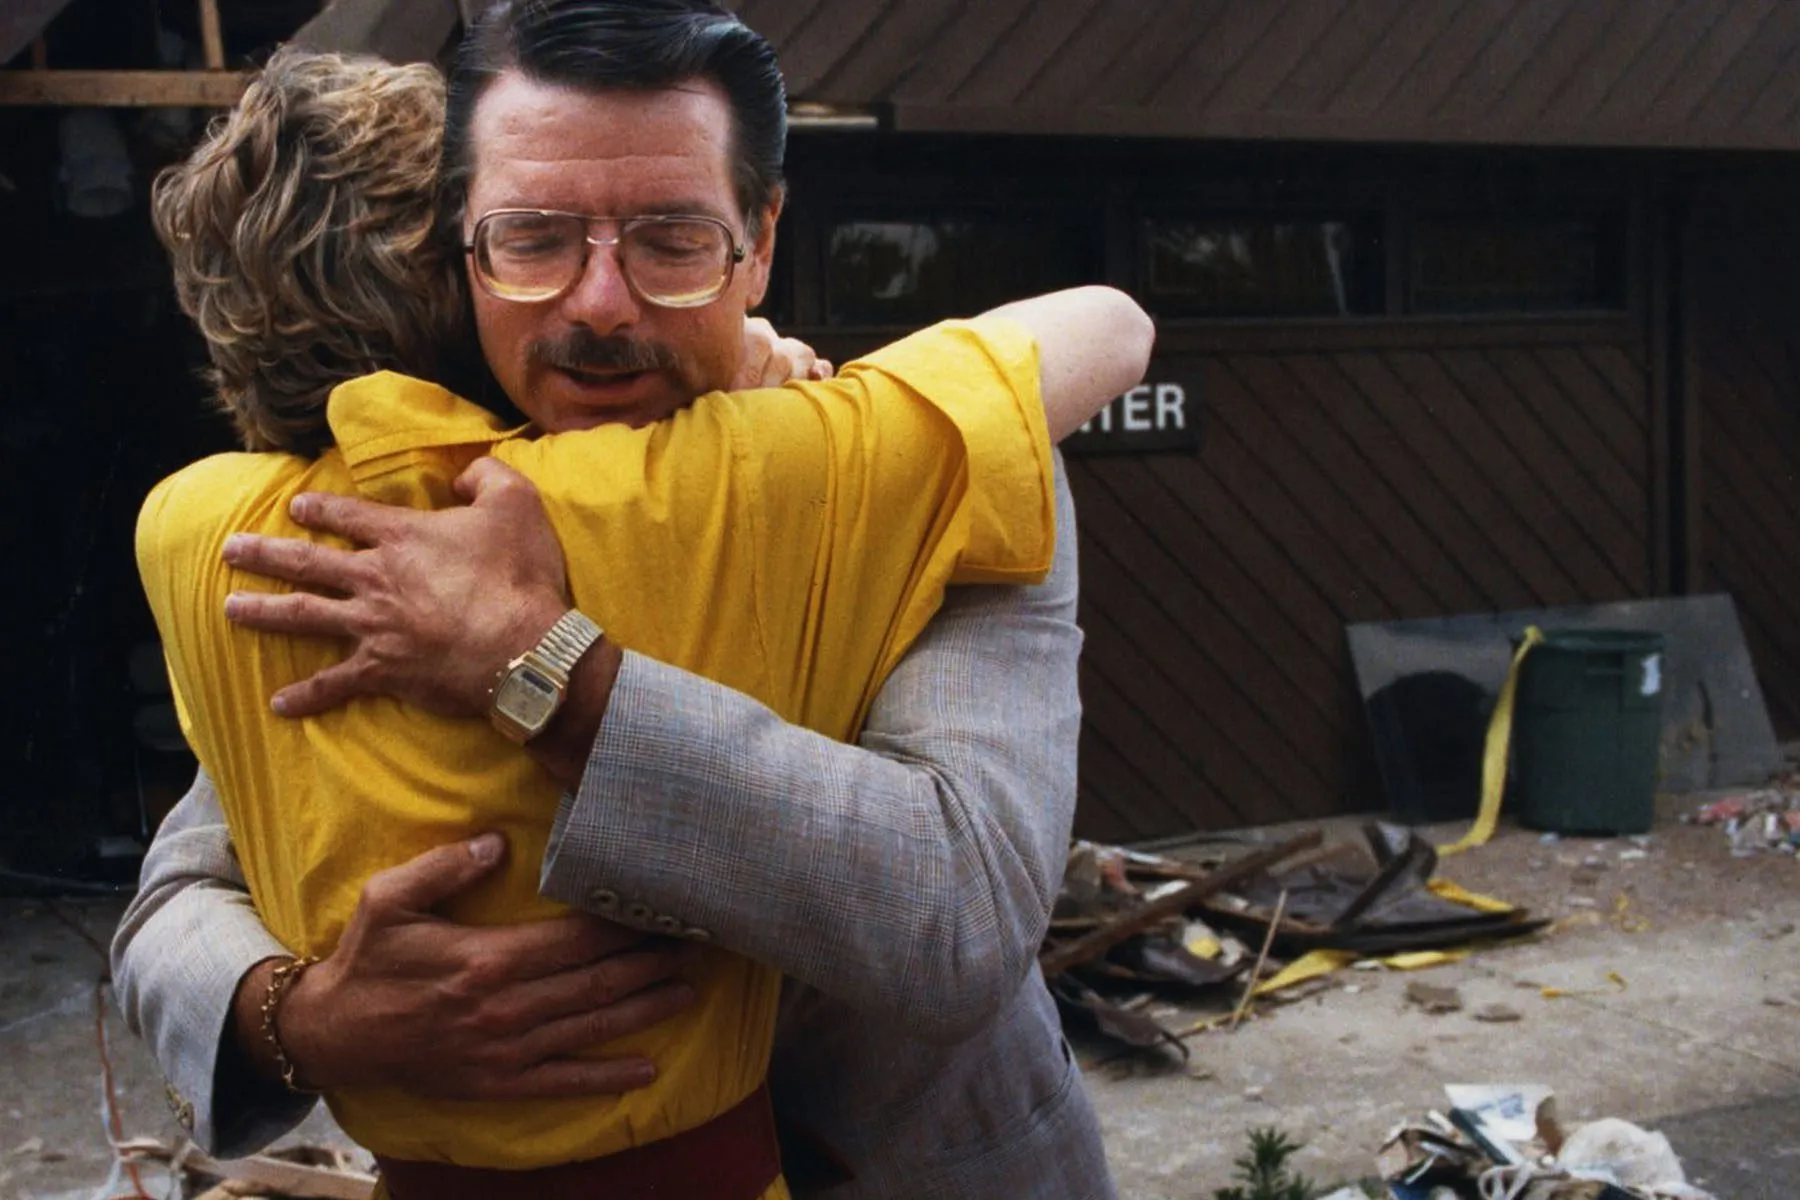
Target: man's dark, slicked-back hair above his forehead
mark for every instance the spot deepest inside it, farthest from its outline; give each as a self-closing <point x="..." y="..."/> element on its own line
<point x="593" y="46"/>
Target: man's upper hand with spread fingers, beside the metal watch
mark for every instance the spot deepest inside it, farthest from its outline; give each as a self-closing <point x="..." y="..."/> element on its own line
<point x="433" y="605"/>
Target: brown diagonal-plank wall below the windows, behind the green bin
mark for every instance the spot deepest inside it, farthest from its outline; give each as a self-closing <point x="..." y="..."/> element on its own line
<point x="1405" y="478"/>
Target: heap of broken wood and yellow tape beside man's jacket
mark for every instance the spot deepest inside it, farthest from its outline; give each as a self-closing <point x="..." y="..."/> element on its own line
<point x="1272" y="926"/>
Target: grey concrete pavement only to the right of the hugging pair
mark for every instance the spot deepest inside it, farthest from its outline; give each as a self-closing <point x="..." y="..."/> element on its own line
<point x="1702" y="1037"/>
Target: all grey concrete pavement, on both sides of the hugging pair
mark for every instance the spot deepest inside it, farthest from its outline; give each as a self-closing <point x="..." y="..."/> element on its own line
<point x="1702" y="1039"/>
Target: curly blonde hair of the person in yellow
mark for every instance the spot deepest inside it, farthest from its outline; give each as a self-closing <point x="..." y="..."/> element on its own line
<point x="305" y="240"/>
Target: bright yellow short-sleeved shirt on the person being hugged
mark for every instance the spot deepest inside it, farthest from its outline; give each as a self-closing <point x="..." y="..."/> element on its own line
<point x="787" y="542"/>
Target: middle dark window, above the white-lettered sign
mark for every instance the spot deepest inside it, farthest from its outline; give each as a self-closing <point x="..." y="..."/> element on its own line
<point x="1261" y="267"/>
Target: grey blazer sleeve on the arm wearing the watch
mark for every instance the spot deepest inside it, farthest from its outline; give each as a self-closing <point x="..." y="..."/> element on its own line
<point x="910" y="875"/>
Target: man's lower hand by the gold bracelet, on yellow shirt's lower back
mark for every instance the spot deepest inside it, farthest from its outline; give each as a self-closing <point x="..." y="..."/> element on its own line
<point x="413" y="1001"/>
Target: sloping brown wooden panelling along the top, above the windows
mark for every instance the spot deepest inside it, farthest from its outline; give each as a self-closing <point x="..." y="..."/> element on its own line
<point x="1531" y="73"/>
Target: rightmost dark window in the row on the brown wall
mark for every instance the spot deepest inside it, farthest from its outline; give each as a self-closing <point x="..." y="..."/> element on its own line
<point x="1516" y="265"/>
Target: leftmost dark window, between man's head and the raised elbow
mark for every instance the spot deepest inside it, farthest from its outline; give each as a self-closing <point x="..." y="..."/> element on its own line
<point x="912" y="273"/>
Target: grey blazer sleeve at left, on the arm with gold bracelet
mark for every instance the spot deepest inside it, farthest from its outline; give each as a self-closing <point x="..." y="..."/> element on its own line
<point x="181" y="949"/>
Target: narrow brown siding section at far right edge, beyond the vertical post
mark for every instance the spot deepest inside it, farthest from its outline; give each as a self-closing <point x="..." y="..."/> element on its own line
<point x="1747" y="364"/>
